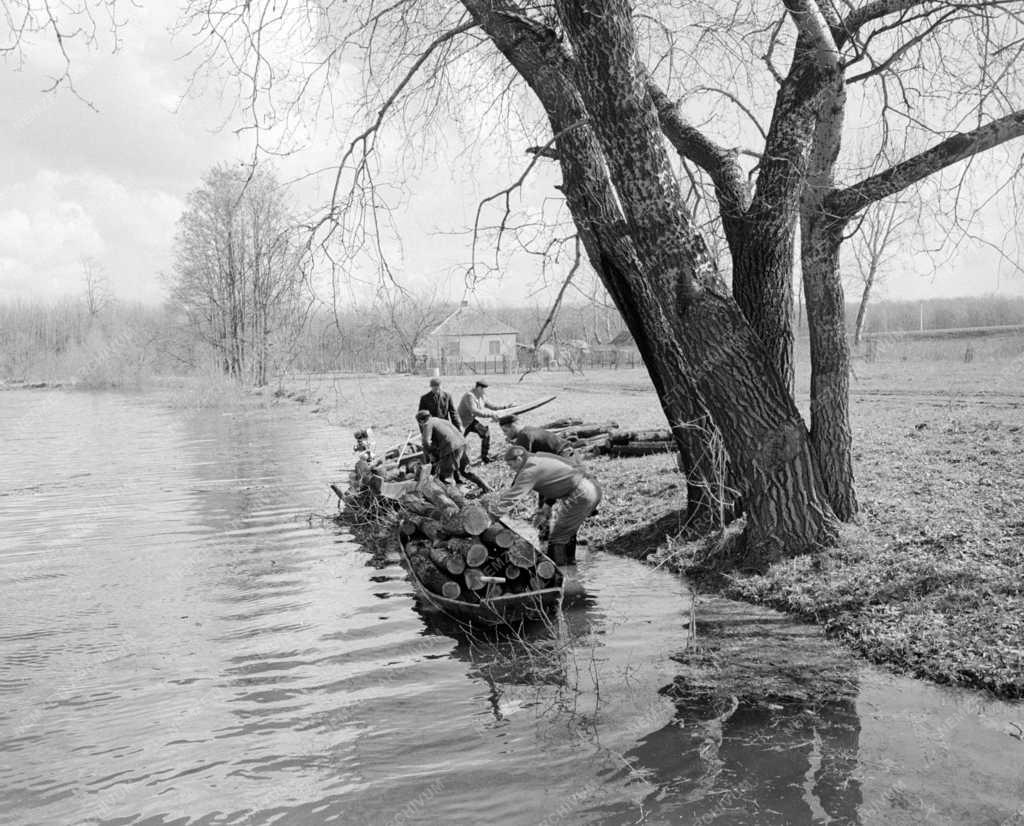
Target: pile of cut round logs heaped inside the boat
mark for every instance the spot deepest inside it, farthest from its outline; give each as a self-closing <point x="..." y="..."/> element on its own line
<point x="457" y="550"/>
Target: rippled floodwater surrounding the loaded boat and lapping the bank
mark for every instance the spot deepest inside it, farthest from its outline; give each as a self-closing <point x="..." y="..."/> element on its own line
<point x="186" y="639"/>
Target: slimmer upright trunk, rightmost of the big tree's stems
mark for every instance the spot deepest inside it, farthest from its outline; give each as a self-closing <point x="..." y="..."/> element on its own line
<point x="822" y="236"/>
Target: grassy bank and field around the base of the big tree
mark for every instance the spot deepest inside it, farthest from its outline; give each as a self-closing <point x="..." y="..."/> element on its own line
<point x="932" y="581"/>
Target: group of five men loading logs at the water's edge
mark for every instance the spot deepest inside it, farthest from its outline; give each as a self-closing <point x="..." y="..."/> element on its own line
<point x="540" y="461"/>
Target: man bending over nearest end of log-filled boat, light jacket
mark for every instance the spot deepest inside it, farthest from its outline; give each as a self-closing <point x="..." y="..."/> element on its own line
<point x="575" y="493"/>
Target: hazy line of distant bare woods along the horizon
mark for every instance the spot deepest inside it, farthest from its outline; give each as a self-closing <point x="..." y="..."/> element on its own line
<point x="122" y="344"/>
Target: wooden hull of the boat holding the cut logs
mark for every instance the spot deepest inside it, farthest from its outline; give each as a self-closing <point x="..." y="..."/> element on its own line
<point x="508" y="610"/>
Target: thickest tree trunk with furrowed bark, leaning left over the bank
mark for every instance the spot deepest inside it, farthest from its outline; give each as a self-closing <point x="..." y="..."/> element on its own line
<point x="628" y="208"/>
